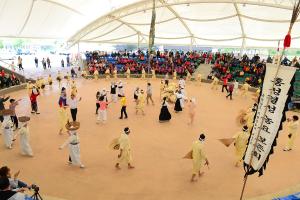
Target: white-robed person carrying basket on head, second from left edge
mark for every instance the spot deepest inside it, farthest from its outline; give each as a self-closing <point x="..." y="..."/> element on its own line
<point x="24" y="136"/>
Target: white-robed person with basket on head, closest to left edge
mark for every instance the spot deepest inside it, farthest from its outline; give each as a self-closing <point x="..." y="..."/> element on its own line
<point x="7" y="126"/>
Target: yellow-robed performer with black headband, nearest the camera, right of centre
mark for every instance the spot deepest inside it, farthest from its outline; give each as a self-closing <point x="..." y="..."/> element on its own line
<point x="199" y="157"/>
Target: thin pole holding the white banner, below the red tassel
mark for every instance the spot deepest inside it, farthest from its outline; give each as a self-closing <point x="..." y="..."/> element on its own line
<point x="260" y="127"/>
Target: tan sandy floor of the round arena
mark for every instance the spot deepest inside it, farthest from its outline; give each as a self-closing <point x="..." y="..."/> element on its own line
<point x="160" y="171"/>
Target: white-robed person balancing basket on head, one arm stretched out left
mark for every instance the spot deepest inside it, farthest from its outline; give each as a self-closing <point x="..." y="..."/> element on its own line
<point x="73" y="143"/>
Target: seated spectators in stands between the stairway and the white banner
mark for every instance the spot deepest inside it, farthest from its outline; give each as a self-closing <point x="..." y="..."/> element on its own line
<point x="243" y="69"/>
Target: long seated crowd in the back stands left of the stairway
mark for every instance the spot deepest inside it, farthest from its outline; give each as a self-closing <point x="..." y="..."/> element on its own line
<point x="162" y="62"/>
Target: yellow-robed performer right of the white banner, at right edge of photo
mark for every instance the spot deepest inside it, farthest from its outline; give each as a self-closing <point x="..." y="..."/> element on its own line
<point x="293" y="125"/>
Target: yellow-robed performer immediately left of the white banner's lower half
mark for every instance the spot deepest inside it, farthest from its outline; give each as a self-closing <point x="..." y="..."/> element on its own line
<point x="240" y="143"/>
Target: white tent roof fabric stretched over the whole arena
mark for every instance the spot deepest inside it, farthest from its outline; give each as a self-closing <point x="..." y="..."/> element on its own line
<point x="253" y="23"/>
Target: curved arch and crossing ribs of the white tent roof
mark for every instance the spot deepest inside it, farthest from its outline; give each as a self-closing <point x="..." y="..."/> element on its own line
<point x="146" y="5"/>
